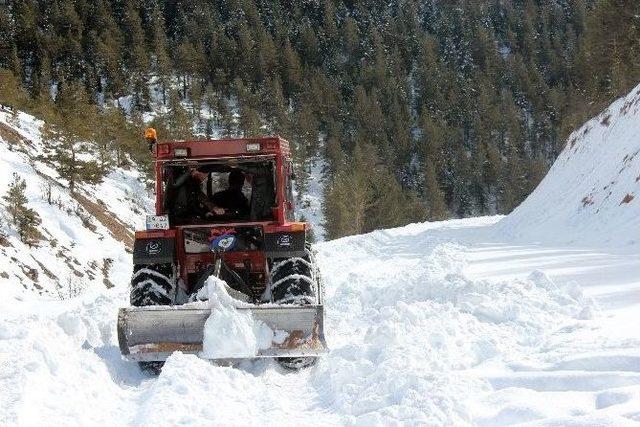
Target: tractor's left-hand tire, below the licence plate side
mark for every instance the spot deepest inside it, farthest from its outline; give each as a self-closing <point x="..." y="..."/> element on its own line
<point x="152" y="285"/>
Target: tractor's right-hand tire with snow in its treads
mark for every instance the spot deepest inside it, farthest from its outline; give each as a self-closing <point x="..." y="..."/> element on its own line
<point x="294" y="281"/>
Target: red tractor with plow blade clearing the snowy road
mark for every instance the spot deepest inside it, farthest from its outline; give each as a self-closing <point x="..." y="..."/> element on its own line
<point x="224" y="208"/>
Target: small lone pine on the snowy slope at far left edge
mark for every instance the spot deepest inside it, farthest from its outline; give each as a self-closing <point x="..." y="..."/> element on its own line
<point x="25" y="219"/>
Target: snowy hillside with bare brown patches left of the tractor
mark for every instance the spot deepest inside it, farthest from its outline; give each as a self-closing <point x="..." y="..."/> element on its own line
<point x="85" y="234"/>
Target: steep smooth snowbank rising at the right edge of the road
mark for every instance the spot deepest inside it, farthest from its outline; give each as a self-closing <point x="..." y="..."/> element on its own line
<point x="592" y="192"/>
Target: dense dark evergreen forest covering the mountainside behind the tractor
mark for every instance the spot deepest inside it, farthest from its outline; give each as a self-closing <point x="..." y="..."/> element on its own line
<point x="419" y="109"/>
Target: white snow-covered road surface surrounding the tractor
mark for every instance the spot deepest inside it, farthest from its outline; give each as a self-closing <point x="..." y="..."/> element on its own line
<point x="436" y="324"/>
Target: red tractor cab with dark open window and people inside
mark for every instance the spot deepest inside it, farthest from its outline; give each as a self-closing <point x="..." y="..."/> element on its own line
<point x="182" y="167"/>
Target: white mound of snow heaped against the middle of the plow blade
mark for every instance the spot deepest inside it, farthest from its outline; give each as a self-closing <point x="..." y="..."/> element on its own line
<point x="229" y="332"/>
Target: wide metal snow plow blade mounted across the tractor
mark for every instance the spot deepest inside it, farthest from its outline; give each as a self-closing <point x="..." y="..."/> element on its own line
<point x="152" y="333"/>
